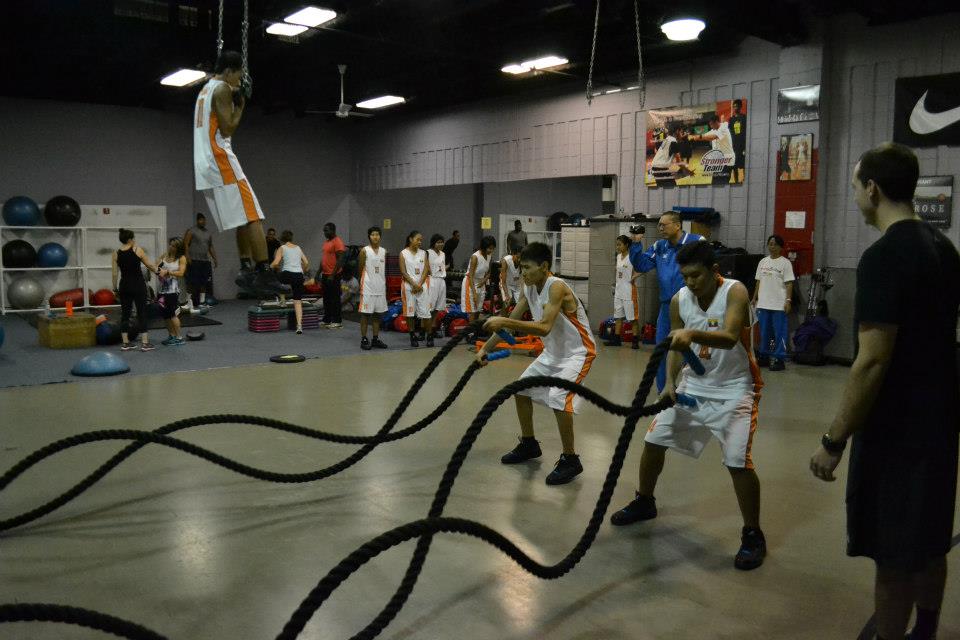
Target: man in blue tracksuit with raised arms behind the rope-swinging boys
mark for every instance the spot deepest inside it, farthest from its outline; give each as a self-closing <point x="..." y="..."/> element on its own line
<point x="662" y="256"/>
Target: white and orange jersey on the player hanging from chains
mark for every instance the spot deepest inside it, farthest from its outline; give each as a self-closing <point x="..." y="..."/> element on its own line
<point x="214" y="163"/>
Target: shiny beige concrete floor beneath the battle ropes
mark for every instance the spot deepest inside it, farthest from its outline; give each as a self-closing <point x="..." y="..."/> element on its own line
<point x="196" y="552"/>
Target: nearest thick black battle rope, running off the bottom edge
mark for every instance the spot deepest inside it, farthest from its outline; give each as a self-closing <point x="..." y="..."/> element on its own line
<point x="423" y="529"/>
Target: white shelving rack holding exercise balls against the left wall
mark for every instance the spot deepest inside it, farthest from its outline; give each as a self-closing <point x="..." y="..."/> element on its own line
<point x="88" y="267"/>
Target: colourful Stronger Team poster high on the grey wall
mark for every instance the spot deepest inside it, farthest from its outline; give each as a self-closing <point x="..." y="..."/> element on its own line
<point x="705" y="144"/>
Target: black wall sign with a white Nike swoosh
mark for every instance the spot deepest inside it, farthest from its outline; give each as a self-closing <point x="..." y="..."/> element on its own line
<point x="926" y="110"/>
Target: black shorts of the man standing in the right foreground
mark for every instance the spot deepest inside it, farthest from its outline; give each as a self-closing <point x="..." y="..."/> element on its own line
<point x="901" y="496"/>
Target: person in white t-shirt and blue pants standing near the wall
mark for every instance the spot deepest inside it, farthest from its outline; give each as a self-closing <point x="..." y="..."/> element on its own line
<point x="771" y="297"/>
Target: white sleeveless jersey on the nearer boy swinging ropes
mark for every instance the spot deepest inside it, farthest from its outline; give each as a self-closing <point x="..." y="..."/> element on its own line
<point x="729" y="372"/>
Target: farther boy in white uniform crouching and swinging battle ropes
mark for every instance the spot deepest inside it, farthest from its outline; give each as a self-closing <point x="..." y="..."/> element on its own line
<point x="569" y="349"/>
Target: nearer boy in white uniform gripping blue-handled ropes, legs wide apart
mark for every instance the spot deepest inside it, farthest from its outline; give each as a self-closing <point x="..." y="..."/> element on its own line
<point x="711" y="316"/>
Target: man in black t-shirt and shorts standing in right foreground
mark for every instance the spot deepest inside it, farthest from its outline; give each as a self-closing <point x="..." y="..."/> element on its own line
<point x="902" y="400"/>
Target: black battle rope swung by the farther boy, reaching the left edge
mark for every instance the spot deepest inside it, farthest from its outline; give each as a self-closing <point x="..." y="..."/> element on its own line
<point x="159" y="436"/>
